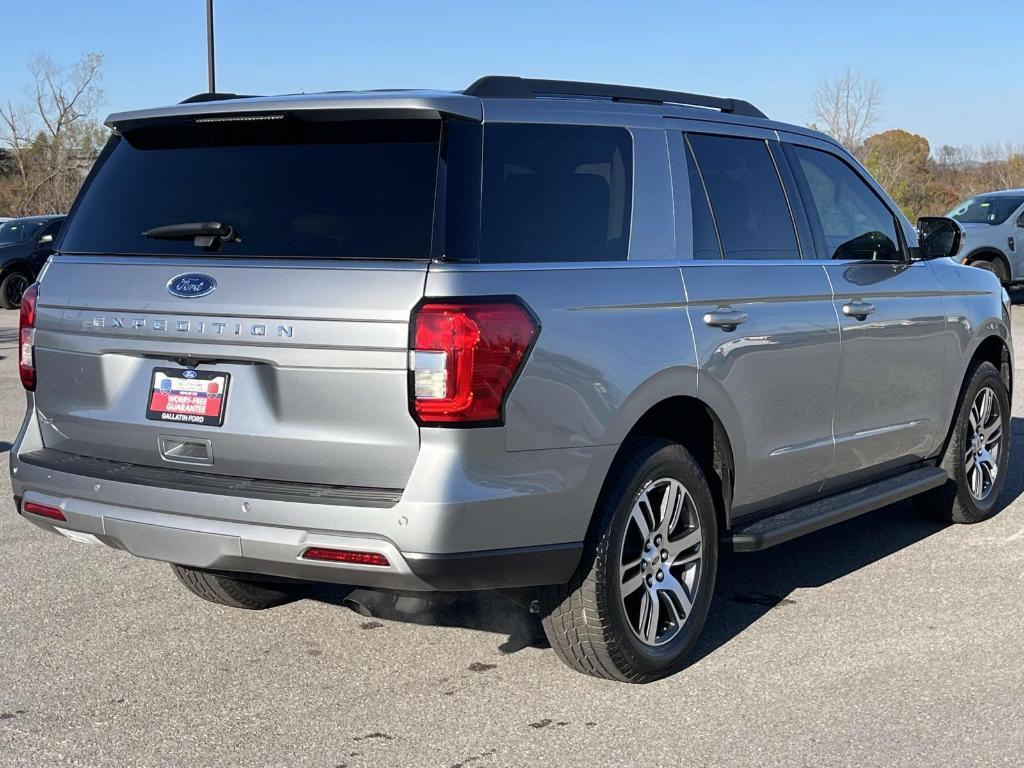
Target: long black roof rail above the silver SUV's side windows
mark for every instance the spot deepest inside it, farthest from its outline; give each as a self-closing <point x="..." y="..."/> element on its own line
<point x="498" y="87"/>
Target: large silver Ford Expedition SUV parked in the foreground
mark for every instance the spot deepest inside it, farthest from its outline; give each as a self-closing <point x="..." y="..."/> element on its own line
<point x="561" y="340"/>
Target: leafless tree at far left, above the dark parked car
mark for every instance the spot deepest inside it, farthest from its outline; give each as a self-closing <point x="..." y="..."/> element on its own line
<point x="52" y="137"/>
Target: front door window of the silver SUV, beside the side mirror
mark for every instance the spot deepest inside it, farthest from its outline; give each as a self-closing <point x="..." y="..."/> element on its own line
<point x="855" y="224"/>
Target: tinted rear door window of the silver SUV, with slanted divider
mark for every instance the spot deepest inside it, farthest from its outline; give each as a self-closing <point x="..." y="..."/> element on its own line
<point x="754" y="220"/>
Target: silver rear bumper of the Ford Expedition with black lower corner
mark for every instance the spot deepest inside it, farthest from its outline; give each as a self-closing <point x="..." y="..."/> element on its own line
<point x="468" y="521"/>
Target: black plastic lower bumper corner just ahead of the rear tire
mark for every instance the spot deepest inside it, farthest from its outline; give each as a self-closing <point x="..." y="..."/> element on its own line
<point x="498" y="569"/>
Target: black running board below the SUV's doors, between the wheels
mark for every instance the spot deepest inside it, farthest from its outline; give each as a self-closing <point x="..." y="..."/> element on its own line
<point x="825" y="513"/>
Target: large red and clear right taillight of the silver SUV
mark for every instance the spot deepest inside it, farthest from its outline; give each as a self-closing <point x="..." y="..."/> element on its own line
<point x="465" y="358"/>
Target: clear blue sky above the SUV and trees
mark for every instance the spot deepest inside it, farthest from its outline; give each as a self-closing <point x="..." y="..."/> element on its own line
<point x="952" y="72"/>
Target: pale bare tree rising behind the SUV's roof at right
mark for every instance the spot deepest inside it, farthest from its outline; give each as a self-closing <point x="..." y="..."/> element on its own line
<point x="848" y="108"/>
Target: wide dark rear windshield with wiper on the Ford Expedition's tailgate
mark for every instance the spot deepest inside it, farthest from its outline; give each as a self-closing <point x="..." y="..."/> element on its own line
<point x="289" y="188"/>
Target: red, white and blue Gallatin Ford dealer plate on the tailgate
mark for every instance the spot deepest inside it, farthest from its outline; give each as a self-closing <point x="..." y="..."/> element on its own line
<point x="188" y="397"/>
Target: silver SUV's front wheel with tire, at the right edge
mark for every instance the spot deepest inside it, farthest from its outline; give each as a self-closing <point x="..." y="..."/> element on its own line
<point x="972" y="494"/>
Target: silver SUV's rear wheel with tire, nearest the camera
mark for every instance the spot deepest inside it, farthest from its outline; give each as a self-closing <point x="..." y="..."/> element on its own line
<point x="613" y="620"/>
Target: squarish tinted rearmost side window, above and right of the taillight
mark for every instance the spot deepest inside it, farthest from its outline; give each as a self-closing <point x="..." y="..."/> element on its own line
<point x="556" y="194"/>
